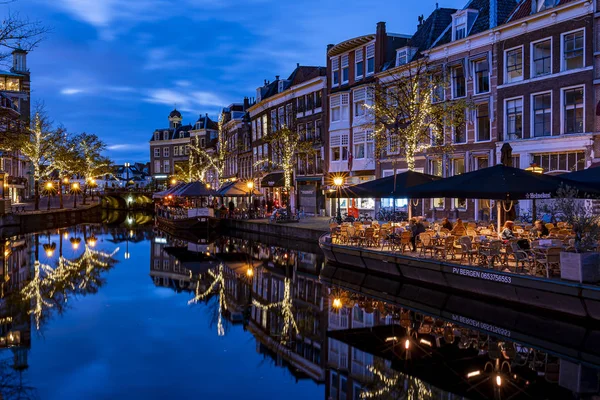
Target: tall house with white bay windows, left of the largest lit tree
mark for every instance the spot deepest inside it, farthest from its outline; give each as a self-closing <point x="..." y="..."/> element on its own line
<point x="351" y="69"/>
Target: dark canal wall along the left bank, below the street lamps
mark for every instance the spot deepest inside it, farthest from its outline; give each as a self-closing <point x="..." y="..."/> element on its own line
<point x="11" y="224"/>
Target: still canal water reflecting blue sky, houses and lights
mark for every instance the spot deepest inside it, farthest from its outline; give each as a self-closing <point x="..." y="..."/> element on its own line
<point x="123" y="310"/>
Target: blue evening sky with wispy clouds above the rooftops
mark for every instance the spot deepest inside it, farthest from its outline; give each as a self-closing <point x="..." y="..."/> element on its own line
<point x="117" y="67"/>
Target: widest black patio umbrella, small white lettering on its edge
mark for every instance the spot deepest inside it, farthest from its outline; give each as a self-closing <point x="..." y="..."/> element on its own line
<point x="500" y="183"/>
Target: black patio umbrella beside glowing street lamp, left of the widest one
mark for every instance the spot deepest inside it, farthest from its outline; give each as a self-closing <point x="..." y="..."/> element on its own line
<point x="388" y="187"/>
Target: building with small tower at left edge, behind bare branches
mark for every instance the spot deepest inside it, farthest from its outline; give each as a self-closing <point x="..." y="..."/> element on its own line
<point x="15" y="109"/>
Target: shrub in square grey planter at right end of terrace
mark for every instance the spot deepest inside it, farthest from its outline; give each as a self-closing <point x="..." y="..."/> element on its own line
<point x="581" y="260"/>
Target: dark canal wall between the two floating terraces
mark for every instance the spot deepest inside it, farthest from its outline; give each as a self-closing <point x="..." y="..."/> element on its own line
<point x="295" y="231"/>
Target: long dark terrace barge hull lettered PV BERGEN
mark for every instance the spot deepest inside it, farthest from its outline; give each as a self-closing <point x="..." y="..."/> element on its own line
<point x="503" y="283"/>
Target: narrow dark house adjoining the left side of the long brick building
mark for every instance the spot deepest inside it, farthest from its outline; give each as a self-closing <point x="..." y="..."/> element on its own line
<point x="237" y="138"/>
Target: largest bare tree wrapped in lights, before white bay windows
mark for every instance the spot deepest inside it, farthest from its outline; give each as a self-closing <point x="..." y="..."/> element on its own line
<point x="409" y="114"/>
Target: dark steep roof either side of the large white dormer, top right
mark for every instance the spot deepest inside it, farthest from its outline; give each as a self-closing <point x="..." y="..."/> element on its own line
<point x="484" y="20"/>
